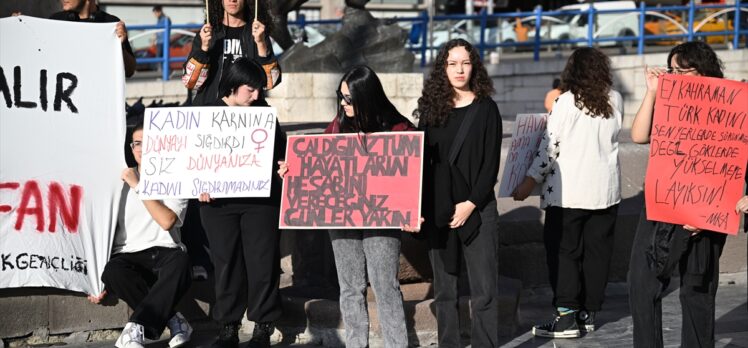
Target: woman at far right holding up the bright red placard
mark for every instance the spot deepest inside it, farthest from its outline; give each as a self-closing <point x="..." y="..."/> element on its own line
<point x="660" y="247"/>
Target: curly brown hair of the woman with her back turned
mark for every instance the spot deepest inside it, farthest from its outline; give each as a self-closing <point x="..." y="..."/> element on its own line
<point x="587" y="75"/>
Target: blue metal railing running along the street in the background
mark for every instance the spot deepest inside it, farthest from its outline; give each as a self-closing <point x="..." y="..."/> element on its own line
<point x="536" y="17"/>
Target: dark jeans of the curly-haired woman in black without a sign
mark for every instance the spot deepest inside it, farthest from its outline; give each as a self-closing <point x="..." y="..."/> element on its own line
<point x="481" y="261"/>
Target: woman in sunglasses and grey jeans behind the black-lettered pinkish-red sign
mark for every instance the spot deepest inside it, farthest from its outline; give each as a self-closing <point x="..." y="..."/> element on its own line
<point x="367" y="254"/>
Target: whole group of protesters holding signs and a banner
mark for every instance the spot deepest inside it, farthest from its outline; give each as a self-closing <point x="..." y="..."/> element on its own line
<point x="232" y="64"/>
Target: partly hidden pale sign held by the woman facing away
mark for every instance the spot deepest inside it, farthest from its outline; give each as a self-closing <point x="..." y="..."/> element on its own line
<point x="526" y="136"/>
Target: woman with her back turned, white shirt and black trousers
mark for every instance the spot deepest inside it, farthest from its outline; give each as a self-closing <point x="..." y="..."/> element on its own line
<point x="577" y="165"/>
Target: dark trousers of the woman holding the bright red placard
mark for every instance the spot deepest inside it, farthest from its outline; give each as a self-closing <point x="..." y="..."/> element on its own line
<point x="646" y="291"/>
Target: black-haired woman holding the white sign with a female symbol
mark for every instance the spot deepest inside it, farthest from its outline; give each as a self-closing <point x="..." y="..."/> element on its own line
<point x="243" y="233"/>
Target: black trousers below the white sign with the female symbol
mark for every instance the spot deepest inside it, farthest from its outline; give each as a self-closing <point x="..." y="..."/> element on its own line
<point x="244" y="246"/>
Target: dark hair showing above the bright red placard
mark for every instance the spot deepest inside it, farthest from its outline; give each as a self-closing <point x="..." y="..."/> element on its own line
<point x="696" y="55"/>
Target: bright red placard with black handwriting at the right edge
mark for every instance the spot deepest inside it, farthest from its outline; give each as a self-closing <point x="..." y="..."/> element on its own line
<point x="698" y="152"/>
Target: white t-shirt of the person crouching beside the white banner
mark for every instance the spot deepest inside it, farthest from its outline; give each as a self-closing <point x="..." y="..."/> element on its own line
<point x="137" y="230"/>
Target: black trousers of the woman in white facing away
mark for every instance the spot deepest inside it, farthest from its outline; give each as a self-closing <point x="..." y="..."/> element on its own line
<point x="579" y="245"/>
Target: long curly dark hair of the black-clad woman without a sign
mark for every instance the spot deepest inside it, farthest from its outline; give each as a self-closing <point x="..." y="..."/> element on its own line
<point x="437" y="98"/>
